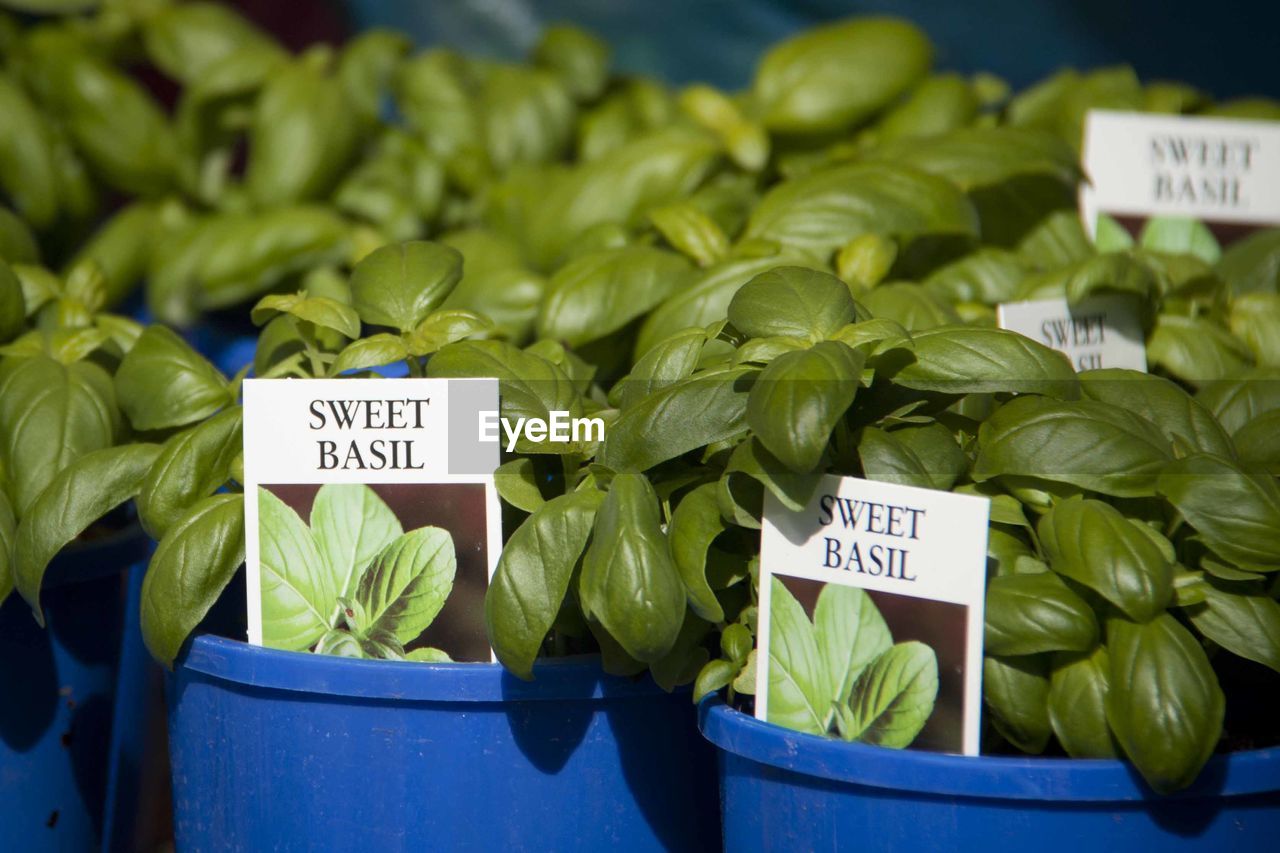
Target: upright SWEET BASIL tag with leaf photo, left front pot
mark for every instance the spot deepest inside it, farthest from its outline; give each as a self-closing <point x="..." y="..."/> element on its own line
<point x="372" y="519"/>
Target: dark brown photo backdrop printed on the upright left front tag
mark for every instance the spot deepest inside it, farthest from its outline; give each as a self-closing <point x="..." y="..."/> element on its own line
<point x="460" y="509"/>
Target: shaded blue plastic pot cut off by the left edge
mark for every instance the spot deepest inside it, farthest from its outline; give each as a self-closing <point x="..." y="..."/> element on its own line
<point x="61" y="692"/>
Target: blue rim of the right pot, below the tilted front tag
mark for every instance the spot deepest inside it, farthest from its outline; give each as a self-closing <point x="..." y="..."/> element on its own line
<point x="1030" y="778"/>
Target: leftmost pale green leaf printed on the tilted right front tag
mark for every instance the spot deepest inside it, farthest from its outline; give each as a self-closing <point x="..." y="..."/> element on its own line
<point x="799" y="695"/>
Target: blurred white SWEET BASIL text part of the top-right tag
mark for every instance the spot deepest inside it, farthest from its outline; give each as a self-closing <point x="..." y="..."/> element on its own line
<point x="1222" y="172"/>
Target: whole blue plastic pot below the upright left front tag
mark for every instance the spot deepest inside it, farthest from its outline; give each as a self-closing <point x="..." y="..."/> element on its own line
<point x="280" y="751"/>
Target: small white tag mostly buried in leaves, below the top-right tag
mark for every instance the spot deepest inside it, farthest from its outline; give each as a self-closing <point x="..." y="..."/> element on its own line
<point x="1099" y="332"/>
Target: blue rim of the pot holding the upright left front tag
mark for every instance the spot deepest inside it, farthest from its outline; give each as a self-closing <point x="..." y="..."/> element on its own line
<point x="231" y="662"/>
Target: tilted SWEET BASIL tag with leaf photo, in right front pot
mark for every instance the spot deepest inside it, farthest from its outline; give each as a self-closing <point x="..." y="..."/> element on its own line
<point x="871" y="615"/>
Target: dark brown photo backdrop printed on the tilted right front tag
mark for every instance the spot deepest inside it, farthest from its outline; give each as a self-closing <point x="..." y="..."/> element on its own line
<point x="940" y="626"/>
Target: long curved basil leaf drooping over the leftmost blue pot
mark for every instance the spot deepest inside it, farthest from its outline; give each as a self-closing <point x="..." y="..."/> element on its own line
<point x="79" y="496"/>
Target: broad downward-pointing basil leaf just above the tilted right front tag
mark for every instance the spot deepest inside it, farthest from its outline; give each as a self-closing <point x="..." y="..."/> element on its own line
<point x="798" y="400"/>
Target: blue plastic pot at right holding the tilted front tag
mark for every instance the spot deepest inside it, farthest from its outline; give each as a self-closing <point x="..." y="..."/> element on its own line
<point x="785" y="791"/>
